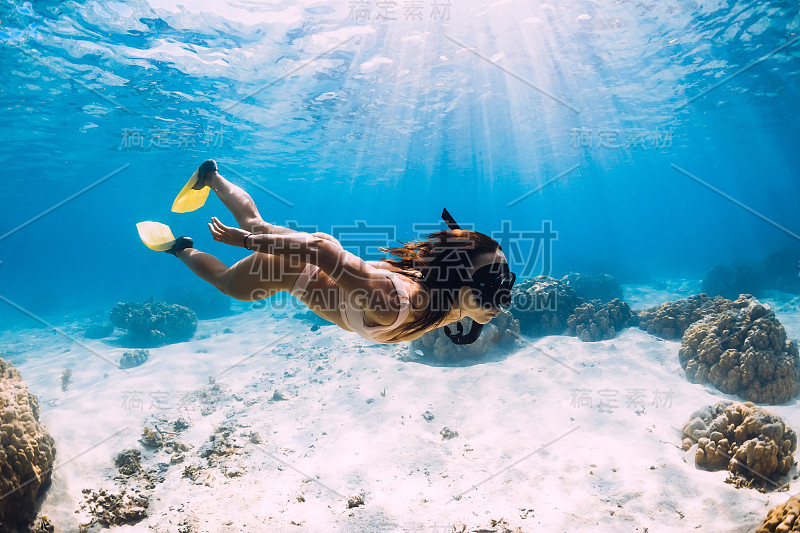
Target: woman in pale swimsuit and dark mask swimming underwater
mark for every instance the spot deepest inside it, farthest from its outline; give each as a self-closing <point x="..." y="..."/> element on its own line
<point x="427" y="284"/>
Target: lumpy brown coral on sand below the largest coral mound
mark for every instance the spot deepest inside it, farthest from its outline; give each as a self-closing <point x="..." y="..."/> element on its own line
<point x="753" y="444"/>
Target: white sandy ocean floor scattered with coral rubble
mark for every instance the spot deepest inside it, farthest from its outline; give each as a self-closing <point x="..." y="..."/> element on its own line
<point x="270" y="426"/>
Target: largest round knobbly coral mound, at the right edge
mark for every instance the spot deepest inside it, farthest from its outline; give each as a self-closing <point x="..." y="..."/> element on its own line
<point x="742" y="350"/>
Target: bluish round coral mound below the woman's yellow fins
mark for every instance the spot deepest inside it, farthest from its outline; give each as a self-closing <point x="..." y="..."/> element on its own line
<point x="154" y="323"/>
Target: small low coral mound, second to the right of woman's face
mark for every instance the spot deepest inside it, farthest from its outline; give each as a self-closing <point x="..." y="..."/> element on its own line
<point x="597" y="321"/>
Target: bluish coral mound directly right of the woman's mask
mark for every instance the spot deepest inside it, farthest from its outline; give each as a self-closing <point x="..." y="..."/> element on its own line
<point x="542" y="305"/>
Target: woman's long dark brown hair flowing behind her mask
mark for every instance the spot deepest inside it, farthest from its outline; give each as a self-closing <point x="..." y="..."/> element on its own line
<point x="441" y="263"/>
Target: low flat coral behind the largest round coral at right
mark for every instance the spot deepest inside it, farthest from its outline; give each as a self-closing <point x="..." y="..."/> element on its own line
<point x="671" y="319"/>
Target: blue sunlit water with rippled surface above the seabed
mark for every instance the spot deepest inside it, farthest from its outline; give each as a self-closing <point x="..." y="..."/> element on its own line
<point x="329" y="118"/>
